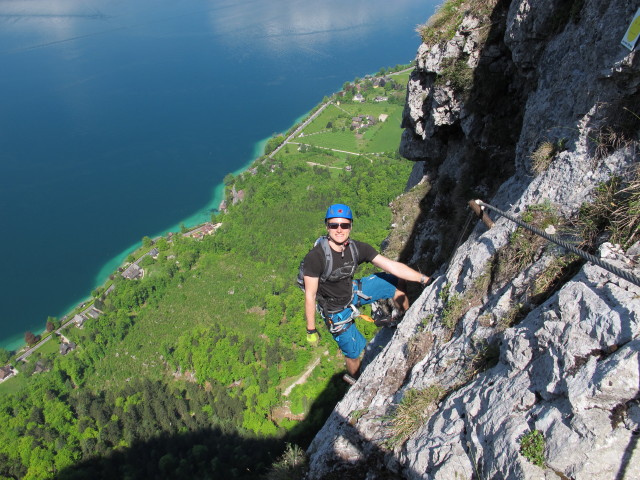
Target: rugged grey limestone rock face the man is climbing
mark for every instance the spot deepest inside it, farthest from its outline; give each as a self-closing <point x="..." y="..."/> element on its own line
<point x="505" y="359"/>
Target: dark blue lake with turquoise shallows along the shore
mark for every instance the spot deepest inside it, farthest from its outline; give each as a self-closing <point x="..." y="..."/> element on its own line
<point x="120" y="118"/>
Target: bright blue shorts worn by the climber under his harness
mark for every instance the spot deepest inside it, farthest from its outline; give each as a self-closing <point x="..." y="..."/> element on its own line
<point x="376" y="286"/>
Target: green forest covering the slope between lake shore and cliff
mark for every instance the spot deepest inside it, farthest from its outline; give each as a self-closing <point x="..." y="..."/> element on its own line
<point x="183" y="374"/>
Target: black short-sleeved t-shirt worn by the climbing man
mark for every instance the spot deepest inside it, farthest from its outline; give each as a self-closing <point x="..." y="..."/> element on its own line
<point x="336" y="295"/>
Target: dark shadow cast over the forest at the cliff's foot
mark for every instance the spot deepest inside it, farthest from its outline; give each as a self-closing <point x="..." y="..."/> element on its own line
<point x="213" y="453"/>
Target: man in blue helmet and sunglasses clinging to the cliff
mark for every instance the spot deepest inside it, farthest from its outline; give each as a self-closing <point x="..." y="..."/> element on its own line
<point x="336" y="292"/>
